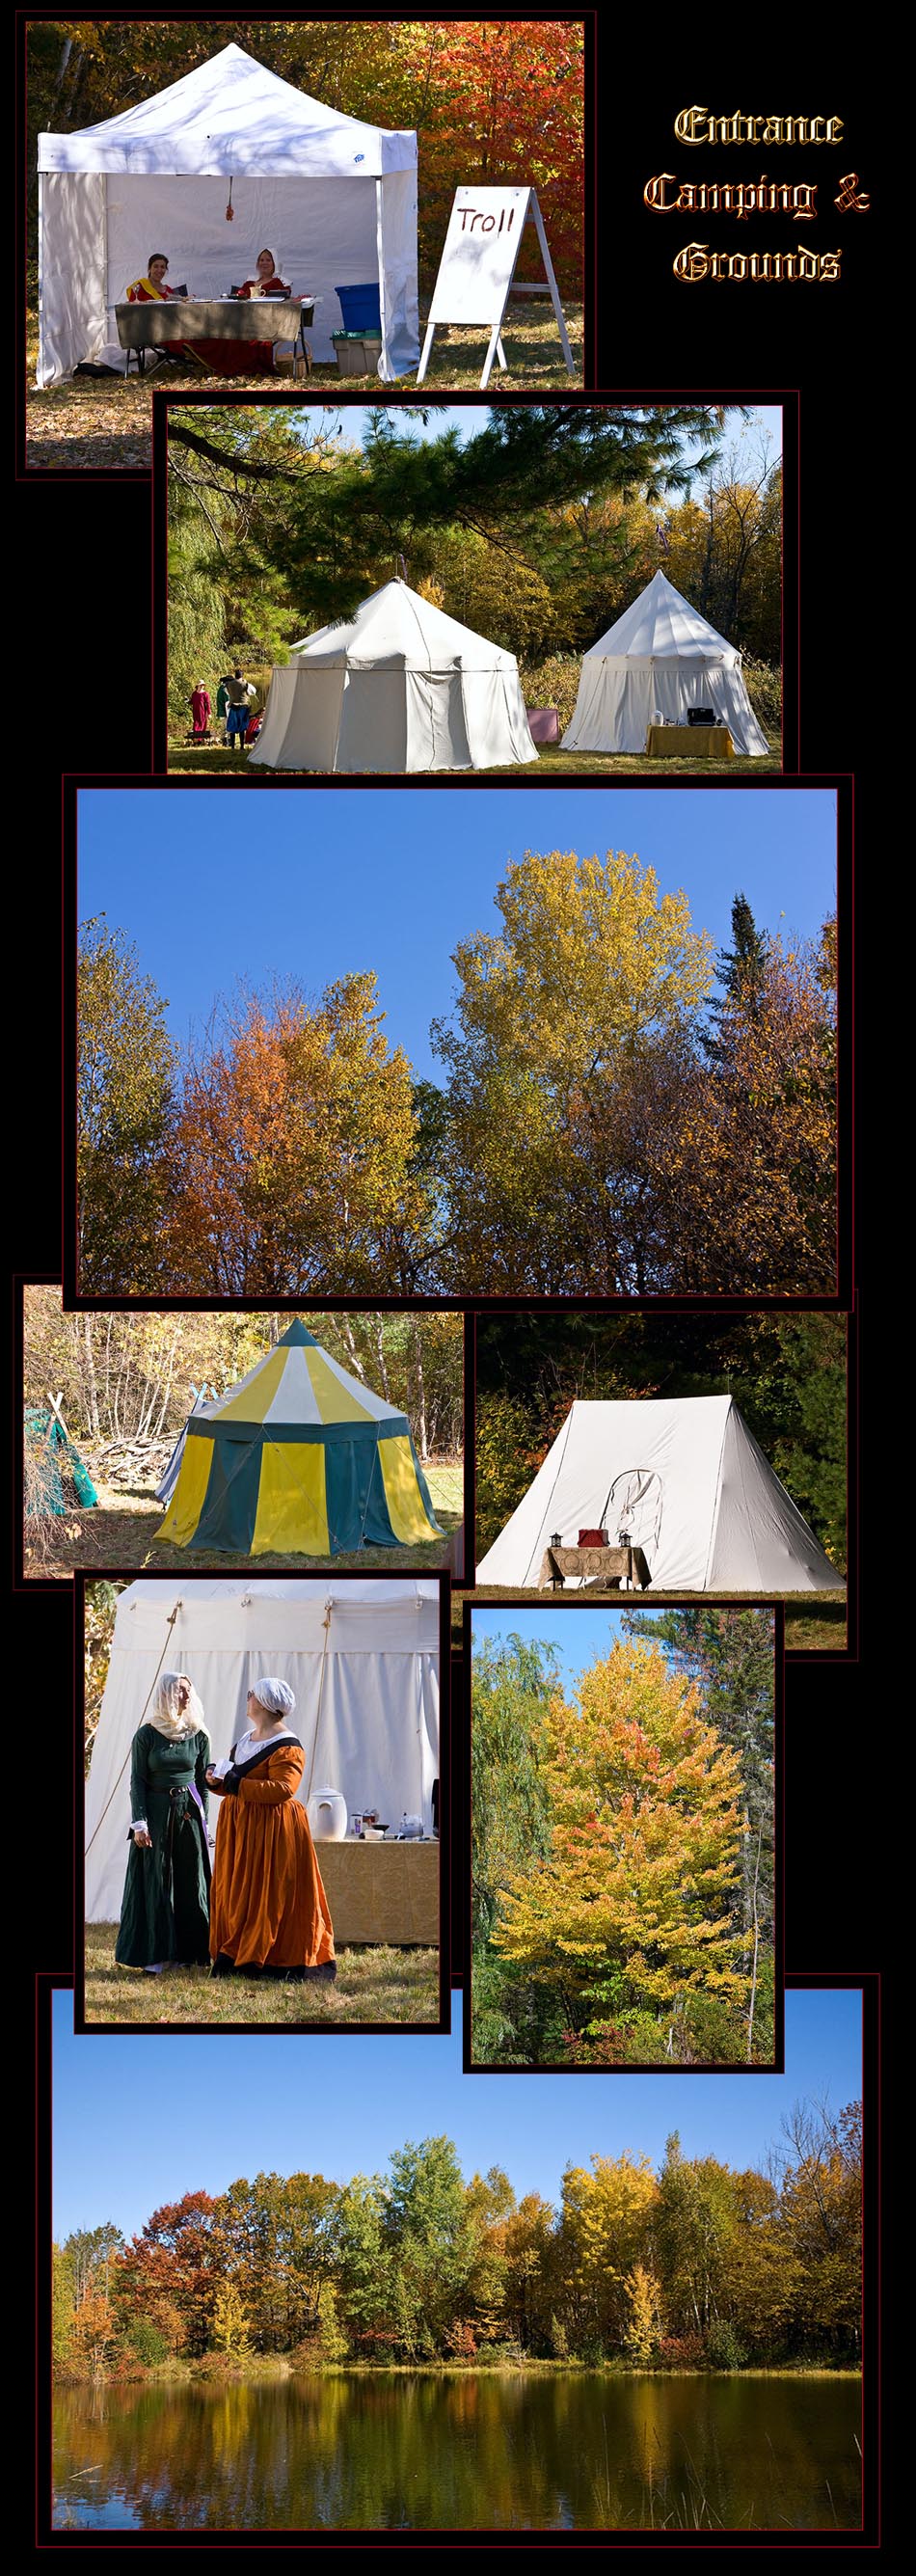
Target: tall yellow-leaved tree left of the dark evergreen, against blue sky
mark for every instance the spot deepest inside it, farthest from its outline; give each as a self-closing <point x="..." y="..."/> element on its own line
<point x="591" y="970"/>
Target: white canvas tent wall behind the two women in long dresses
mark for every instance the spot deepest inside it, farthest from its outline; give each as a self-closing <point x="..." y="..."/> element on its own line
<point x="364" y="1660"/>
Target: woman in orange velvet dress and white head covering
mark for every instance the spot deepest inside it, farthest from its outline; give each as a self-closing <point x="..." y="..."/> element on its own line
<point x="269" y="1910"/>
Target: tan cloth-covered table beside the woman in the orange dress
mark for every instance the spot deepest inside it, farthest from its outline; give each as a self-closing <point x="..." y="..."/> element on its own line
<point x="382" y="1892"/>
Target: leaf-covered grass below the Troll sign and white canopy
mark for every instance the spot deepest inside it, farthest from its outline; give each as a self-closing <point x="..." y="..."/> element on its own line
<point x="102" y="426"/>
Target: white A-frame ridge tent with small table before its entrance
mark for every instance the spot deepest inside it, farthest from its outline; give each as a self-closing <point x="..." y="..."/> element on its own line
<point x="686" y="1480"/>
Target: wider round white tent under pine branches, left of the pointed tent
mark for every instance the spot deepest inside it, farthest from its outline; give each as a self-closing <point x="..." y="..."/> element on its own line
<point x="398" y="687"/>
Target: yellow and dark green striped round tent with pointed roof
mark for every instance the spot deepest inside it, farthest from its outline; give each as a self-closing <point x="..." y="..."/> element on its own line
<point x="302" y="1459"/>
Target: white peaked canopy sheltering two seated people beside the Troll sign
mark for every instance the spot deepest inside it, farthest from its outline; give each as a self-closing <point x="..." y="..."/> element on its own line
<point x="331" y="197"/>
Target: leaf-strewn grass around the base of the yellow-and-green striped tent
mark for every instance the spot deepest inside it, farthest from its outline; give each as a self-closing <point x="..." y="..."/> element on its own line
<point x="122" y="1534"/>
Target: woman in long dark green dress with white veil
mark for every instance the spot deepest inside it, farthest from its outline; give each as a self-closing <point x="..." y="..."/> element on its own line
<point x="169" y="1874"/>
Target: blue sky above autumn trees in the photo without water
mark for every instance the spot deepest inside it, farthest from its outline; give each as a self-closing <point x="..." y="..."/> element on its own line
<point x="323" y="882"/>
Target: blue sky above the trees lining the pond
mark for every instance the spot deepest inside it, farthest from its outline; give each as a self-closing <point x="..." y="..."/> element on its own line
<point x="143" y="2119"/>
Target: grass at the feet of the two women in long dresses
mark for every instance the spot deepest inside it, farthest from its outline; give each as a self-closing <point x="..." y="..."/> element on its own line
<point x="372" y="1987"/>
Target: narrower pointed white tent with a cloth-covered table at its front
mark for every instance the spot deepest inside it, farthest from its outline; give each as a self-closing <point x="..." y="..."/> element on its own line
<point x="663" y="656"/>
